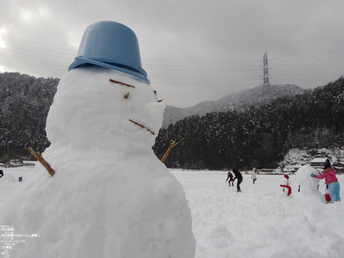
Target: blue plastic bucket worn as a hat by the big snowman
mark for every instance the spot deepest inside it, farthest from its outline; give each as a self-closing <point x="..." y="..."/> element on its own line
<point x="111" y="45"/>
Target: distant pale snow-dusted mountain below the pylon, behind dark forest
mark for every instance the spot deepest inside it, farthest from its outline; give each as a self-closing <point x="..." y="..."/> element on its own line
<point x="255" y="96"/>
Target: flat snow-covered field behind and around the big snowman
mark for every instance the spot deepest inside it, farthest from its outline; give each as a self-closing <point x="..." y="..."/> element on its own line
<point x="259" y="222"/>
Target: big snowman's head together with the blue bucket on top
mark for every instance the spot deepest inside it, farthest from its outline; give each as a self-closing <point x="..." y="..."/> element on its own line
<point x="90" y="111"/>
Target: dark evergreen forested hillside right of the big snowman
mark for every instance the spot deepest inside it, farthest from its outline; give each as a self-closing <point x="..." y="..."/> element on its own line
<point x="257" y="136"/>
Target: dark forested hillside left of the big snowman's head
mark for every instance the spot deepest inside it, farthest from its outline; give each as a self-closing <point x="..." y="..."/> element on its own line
<point x="25" y="102"/>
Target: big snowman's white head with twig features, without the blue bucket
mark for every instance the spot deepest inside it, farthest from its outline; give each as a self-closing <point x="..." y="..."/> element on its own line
<point x="90" y="111"/>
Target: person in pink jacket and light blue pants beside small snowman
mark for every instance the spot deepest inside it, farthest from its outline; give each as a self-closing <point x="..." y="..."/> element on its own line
<point x="331" y="180"/>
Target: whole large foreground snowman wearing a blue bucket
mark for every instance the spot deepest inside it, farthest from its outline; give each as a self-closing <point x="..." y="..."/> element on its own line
<point x="110" y="196"/>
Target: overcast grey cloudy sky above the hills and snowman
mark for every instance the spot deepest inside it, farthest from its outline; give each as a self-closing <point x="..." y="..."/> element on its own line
<point x="192" y="50"/>
